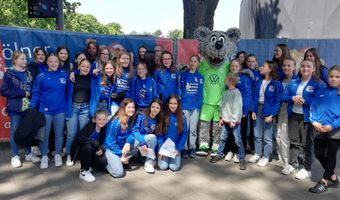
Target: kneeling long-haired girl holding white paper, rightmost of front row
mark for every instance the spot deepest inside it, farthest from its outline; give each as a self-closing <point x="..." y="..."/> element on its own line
<point x="175" y="128"/>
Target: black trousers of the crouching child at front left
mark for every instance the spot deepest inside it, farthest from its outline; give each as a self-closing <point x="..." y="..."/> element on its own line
<point x="88" y="157"/>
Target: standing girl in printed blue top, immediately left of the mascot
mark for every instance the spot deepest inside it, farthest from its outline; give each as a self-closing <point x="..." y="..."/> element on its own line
<point x="191" y="85"/>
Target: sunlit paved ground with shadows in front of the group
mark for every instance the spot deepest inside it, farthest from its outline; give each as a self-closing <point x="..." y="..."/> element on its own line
<point x="198" y="180"/>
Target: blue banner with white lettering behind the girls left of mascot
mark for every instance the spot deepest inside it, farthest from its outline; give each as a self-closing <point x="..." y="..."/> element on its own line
<point x="26" y="40"/>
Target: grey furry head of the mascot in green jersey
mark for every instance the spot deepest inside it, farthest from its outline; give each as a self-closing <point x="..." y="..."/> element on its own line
<point x="216" y="45"/>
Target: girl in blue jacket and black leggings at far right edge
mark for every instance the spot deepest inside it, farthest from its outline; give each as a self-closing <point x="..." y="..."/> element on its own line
<point x="325" y="117"/>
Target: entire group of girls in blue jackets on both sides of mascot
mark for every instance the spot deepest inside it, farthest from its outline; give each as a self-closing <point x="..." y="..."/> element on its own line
<point x="277" y="100"/>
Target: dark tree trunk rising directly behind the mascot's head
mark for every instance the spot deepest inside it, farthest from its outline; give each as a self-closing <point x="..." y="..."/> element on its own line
<point x="198" y="13"/>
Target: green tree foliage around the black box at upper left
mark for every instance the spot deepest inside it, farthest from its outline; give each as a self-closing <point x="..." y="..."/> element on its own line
<point x="15" y="14"/>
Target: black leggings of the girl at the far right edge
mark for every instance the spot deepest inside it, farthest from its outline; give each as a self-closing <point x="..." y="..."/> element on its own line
<point x="325" y="151"/>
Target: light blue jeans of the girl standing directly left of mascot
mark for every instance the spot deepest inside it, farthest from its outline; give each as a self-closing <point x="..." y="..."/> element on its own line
<point x="192" y="117"/>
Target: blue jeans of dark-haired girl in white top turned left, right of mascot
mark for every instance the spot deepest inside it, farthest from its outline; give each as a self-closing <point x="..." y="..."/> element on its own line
<point x="263" y="133"/>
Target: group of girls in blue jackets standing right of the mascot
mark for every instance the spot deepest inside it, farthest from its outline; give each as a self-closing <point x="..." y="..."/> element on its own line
<point x="284" y="102"/>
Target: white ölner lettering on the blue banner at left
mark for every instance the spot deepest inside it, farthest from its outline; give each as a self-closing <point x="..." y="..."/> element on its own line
<point x="8" y="50"/>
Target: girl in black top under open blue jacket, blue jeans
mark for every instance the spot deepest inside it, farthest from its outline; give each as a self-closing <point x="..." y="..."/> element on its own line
<point x="78" y="101"/>
